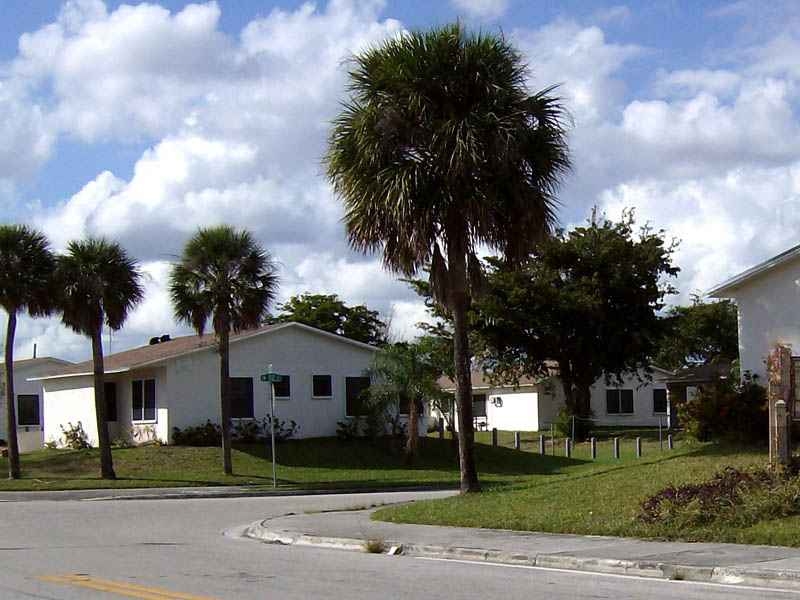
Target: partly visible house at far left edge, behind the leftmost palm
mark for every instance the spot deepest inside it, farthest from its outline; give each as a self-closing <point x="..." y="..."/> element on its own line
<point x="29" y="396"/>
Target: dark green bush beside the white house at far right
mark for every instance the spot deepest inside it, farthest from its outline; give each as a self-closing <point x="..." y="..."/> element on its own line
<point x="728" y="408"/>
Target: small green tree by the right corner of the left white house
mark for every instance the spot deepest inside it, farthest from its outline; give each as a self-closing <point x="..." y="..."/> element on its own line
<point x="409" y="373"/>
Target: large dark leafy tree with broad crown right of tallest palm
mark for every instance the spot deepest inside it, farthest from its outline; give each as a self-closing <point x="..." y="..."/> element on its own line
<point x="587" y="299"/>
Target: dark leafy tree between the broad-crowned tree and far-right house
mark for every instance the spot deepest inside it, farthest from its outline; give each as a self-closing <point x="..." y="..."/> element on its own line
<point x="699" y="333"/>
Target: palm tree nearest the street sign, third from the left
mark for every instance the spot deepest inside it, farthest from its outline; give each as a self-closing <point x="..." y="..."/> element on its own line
<point x="226" y="277"/>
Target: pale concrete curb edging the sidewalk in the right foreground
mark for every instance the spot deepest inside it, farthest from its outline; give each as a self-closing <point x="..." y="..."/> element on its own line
<point x="778" y="579"/>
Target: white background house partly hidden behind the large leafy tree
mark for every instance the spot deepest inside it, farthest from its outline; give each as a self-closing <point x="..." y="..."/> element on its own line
<point x="532" y="405"/>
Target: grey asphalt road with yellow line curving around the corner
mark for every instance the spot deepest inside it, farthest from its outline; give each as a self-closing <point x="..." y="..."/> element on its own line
<point x="176" y="550"/>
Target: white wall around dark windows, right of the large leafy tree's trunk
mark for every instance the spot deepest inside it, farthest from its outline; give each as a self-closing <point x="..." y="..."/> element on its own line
<point x="642" y="416"/>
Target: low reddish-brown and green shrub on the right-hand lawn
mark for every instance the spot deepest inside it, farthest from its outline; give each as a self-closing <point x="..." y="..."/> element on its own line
<point x="731" y="497"/>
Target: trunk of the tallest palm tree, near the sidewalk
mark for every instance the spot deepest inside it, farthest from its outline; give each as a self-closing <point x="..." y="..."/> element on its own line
<point x="461" y="357"/>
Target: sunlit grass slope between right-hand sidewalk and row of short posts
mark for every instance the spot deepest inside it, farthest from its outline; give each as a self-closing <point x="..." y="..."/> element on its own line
<point x="602" y="497"/>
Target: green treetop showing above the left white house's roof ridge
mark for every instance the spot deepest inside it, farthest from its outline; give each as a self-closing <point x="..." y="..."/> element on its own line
<point x="329" y="313"/>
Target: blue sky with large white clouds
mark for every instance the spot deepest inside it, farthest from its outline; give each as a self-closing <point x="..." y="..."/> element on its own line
<point x="143" y="122"/>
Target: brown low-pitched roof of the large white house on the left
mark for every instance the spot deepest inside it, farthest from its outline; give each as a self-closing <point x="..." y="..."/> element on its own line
<point x="156" y="354"/>
